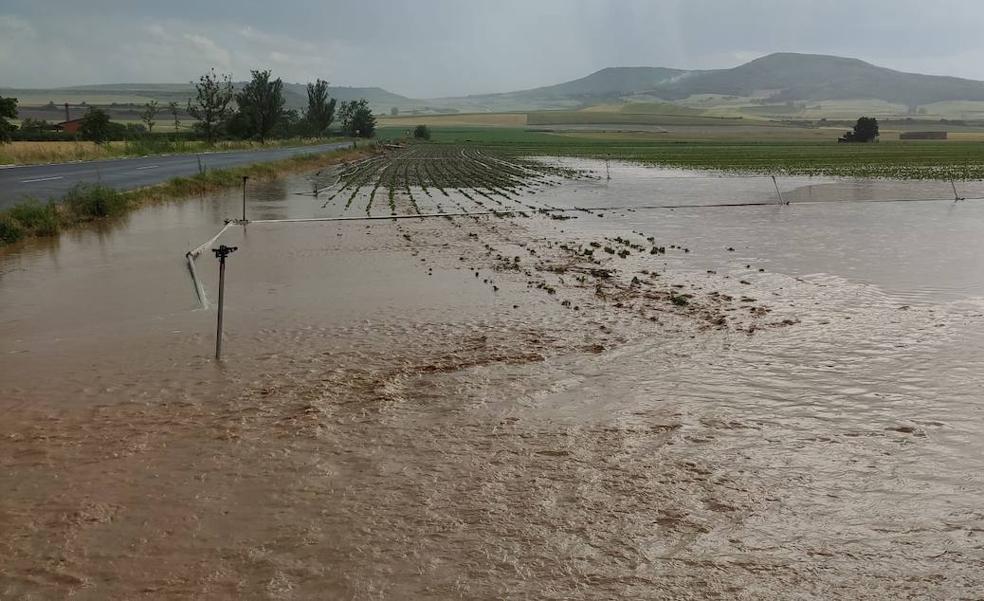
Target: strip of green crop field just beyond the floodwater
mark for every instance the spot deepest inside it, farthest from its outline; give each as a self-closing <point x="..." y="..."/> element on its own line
<point x="902" y="160"/>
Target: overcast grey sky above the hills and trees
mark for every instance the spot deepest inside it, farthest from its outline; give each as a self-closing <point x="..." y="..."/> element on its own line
<point x="427" y="48"/>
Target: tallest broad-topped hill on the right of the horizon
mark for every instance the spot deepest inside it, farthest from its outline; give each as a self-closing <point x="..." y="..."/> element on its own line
<point x="789" y="76"/>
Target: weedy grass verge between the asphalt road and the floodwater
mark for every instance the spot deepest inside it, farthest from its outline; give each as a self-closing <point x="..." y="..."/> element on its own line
<point x="90" y="202"/>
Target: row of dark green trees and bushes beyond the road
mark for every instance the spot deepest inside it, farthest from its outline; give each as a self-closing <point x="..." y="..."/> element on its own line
<point x="257" y="111"/>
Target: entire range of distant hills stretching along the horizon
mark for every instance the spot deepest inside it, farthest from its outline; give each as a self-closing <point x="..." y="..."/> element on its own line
<point x="773" y="79"/>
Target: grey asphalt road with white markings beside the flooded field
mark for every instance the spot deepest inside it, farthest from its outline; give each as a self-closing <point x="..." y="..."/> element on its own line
<point x="53" y="181"/>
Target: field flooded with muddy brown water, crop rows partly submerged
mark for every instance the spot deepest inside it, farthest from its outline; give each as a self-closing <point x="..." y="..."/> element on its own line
<point x="594" y="389"/>
